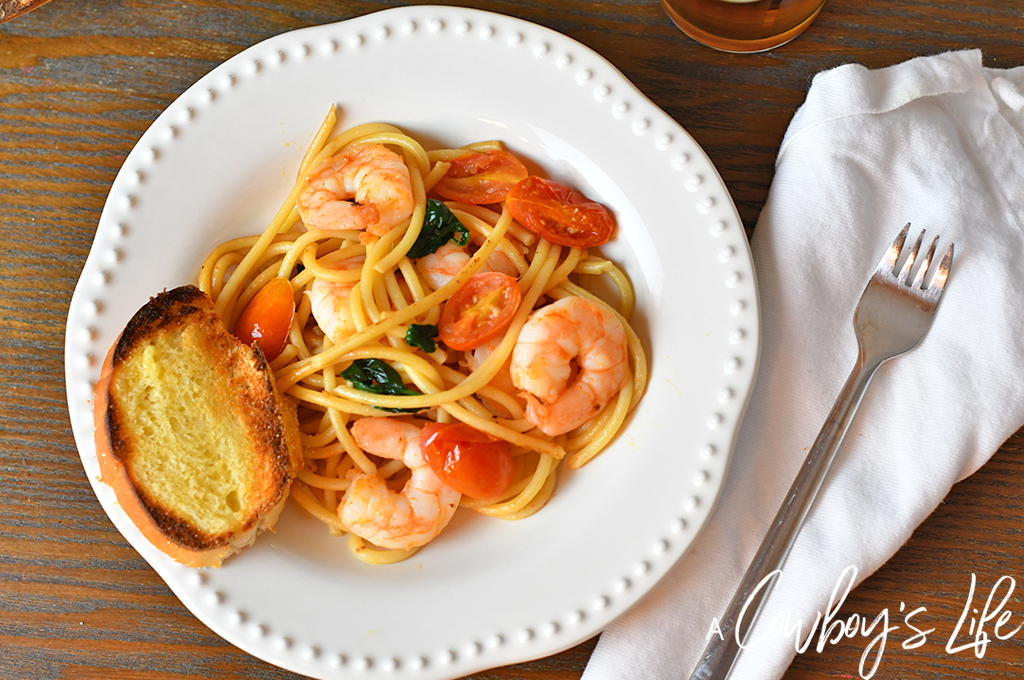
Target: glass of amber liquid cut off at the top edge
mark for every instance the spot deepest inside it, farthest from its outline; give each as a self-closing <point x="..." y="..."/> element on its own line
<point x="736" y="26"/>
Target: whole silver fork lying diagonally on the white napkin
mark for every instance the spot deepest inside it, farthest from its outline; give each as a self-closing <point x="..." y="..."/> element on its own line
<point x="893" y="316"/>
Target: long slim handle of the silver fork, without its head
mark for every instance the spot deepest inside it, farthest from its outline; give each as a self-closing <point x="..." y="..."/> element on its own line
<point x="721" y="654"/>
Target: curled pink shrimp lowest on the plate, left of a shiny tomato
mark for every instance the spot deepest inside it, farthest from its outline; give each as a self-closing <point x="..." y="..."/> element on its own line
<point x="403" y="520"/>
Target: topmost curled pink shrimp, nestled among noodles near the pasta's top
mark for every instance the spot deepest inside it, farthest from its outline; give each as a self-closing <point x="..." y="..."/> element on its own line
<point x="366" y="188"/>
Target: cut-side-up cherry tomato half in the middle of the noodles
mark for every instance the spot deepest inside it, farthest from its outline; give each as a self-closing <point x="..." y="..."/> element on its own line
<point x="479" y="311"/>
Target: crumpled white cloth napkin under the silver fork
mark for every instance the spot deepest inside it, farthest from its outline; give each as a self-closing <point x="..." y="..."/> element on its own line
<point x="936" y="142"/>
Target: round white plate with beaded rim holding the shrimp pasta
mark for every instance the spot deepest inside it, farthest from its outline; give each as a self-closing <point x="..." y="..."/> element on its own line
<point x="217" y="165"/>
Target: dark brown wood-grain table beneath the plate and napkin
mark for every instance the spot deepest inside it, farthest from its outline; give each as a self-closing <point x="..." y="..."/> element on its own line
<point x="79" y="84"/>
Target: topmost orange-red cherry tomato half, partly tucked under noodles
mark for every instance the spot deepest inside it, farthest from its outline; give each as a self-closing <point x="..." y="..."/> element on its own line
<point x="482" y="179"/>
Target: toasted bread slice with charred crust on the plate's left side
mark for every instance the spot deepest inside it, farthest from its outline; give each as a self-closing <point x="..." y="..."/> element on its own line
<point x="192" y="434"/>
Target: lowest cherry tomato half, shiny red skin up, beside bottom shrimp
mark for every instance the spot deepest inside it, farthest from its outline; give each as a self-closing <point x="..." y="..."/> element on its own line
<point x="468" y="460"/>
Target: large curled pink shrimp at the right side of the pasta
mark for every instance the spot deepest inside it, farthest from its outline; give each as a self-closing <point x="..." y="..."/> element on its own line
<point x="542" y="363"/>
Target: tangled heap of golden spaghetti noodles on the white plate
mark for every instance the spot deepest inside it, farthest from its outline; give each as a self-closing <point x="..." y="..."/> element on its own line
<point x="382" y="292"/>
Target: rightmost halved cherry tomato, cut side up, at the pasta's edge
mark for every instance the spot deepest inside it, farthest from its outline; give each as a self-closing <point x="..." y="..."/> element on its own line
<point x="560" y="215"/>
